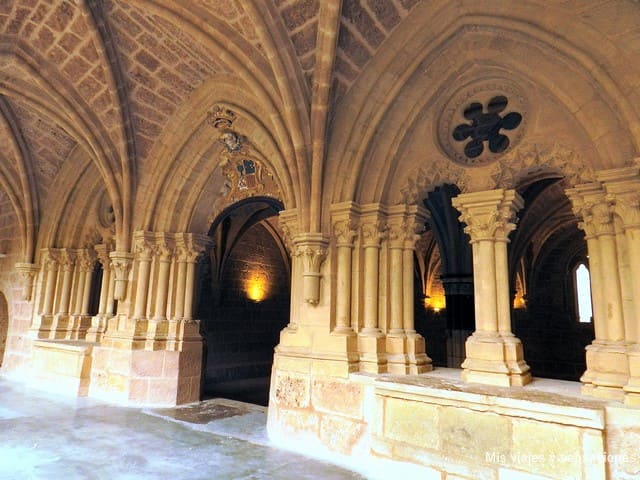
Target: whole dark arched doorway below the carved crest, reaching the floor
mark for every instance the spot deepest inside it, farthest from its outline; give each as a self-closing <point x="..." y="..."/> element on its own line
<point x="244" y="300"/>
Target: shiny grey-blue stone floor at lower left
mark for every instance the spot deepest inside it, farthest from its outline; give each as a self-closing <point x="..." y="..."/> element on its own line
<point x="47" y="436"/>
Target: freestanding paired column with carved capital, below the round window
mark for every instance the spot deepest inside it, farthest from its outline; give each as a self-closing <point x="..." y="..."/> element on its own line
<point x="493" y="354"/>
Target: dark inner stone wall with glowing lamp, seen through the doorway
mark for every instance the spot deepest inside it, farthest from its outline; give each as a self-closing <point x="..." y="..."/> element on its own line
<point x="241" y="333"/>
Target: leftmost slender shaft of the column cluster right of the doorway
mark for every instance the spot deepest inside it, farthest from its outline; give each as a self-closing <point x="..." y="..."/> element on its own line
<point x="344" y="230"/>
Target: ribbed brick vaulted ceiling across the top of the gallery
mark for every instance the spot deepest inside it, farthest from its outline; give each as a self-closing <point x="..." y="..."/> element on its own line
<point x="108" y="82"/>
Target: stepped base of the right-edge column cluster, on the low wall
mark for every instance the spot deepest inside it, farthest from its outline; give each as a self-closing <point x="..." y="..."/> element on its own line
<point x="607" y="370"/>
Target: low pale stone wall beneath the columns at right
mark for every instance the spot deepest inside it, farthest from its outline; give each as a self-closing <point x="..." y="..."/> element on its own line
<point x="457" y="430"/>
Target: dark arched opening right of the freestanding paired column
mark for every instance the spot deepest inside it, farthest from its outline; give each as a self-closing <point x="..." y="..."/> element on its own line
<point x="546" y="250"/>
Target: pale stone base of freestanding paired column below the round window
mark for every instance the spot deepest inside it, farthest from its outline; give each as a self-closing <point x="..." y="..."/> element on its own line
<point x="495" y="360"/>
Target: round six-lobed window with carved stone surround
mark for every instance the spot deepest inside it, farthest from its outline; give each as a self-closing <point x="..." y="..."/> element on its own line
<point x="482" y="122"/>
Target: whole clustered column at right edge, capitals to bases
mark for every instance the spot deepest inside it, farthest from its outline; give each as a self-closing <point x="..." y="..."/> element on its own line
<point x="609" y="210"/>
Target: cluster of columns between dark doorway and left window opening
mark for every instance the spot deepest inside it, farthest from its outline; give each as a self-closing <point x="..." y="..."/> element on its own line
<point x="374" y="298"/>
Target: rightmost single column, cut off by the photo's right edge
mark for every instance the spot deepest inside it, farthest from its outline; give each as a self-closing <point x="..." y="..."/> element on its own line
<point x="622" y="186"/>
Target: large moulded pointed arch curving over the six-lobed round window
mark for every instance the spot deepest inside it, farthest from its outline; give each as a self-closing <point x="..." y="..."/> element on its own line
<point x="402" y="98"/>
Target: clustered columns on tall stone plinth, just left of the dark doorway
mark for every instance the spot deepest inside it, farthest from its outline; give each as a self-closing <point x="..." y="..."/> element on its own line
<point x="139" y="361"/>
